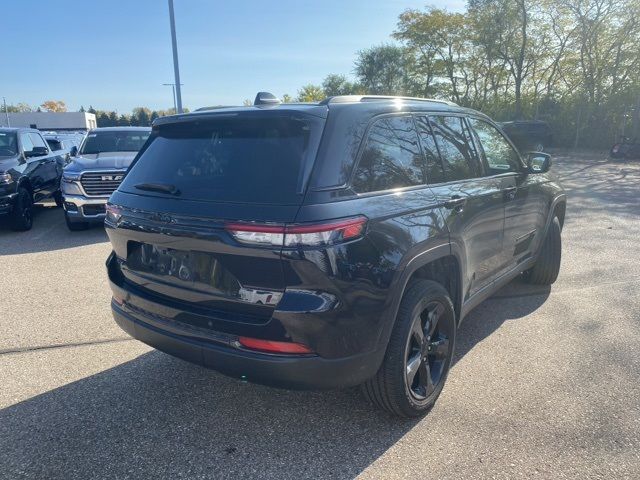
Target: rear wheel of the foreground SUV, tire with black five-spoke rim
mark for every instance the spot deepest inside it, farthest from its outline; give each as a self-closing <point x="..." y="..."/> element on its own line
<point x="398" y="388"/>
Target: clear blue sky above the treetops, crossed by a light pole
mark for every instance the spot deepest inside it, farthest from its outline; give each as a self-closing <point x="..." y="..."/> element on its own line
<point x="116" y="54"/>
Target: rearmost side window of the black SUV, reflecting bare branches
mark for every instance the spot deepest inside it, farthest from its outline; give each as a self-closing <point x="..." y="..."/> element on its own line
<point x="391" y="157"/>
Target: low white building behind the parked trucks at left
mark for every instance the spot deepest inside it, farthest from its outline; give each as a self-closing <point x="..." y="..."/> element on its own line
<point x="57" y="121"/>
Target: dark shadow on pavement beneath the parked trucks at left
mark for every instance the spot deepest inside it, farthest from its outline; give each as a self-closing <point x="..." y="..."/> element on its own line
<point x="49" y="232"/>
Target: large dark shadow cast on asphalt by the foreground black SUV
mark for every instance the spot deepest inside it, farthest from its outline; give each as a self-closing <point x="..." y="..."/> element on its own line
<point x="156" y="416"/>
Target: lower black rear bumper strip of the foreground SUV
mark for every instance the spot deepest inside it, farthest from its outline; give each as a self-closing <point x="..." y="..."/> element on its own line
<point x="286" y="371"/>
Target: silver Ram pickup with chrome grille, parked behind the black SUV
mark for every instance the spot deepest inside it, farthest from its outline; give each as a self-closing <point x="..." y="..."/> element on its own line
<point x="96" y="170"/>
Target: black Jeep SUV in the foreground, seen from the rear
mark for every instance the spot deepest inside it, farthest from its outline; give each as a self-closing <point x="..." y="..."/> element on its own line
<point x="329" y="244"/>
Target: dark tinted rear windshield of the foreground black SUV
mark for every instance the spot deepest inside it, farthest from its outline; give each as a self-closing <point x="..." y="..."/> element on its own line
<point x="247" y="159"/>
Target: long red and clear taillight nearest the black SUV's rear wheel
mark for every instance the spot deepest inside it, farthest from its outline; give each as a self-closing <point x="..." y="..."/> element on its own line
<point x="295" y="235"/>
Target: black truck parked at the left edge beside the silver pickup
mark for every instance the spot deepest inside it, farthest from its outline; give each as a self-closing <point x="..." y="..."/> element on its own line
<point x="29" y="172"/>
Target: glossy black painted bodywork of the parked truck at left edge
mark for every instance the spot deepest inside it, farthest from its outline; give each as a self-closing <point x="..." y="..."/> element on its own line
<point x="40" y="174"/>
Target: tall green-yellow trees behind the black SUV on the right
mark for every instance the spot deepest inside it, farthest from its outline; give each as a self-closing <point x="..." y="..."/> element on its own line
<point x="573" y="63"/>
